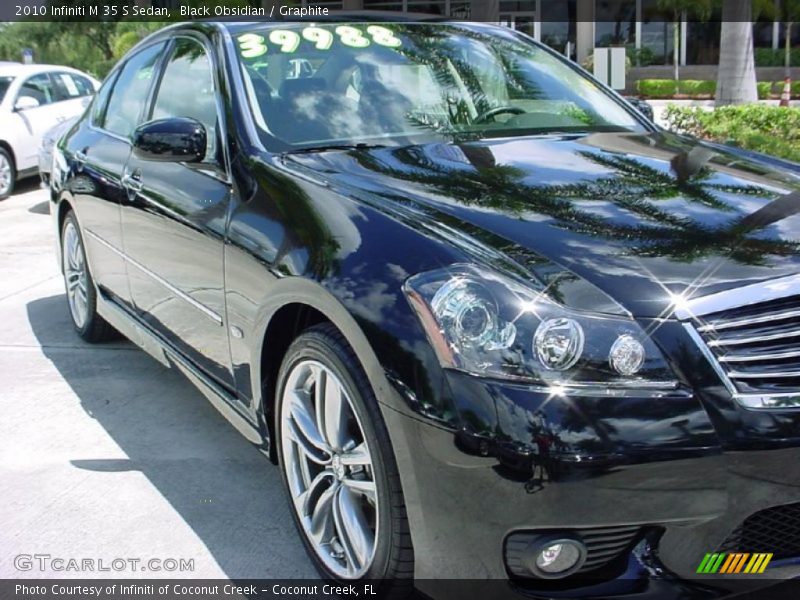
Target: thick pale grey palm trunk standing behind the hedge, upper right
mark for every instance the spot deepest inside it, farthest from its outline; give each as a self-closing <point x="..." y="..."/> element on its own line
<point x="736" y="80"/>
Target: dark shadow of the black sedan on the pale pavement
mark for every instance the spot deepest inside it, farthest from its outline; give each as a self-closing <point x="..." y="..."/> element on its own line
<point x="218" y="483"/>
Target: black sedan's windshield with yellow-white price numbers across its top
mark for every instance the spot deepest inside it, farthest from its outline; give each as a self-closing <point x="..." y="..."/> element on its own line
<point x="314" y="86"/>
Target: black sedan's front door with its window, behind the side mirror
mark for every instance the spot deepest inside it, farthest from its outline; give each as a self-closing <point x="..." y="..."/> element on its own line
<point x="174" y="220"/>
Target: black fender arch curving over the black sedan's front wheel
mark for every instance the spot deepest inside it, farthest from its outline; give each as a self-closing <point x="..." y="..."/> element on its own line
<point x="296" y="306"/>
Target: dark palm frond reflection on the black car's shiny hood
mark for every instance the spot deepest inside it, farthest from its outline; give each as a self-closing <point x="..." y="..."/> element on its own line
<point x="634" y="186"/>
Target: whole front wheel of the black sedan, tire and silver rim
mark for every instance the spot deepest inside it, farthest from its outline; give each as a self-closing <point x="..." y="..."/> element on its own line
<point x="321" y="353"/>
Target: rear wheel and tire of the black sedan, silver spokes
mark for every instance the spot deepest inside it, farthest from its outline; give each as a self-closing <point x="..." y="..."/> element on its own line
<point x="79" y="285"/>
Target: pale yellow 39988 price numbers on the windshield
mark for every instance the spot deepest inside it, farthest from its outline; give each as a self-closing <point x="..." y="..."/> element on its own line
<point x="253" y="45"/>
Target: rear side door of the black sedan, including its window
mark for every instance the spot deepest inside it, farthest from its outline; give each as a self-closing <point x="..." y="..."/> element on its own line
<point x="98" y="150"/>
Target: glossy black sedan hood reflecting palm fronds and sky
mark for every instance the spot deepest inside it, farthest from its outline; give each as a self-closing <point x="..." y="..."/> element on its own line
<point x="644" y="217"/>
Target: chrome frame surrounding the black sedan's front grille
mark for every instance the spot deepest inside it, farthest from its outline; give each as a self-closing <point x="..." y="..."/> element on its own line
<point x="695" y="309"/>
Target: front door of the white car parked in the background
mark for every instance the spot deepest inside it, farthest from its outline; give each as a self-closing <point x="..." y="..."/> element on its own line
<point x="35" y="108"/>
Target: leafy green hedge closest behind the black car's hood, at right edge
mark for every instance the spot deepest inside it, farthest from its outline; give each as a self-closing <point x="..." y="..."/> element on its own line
<point x="758" y="127"/>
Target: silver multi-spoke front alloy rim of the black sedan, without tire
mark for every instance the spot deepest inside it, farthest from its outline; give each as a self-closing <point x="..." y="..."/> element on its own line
<point x="329" y="469"/>
